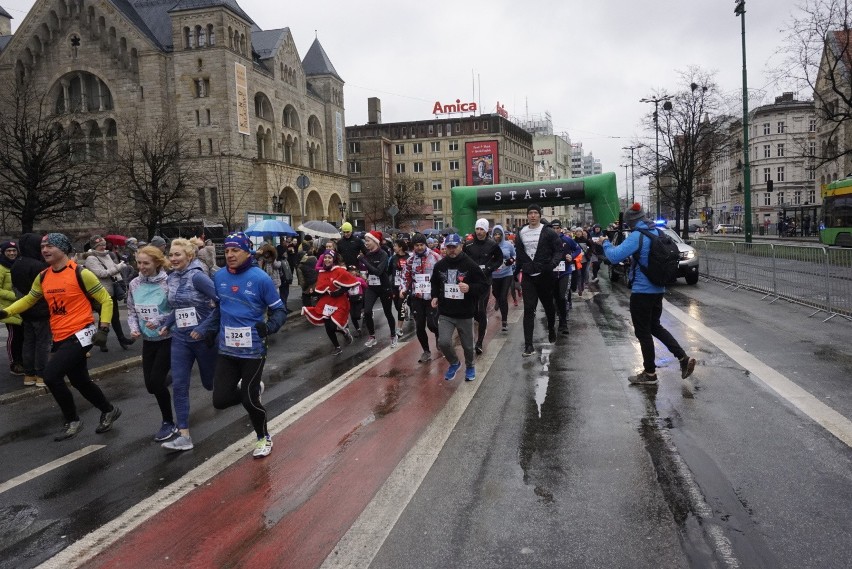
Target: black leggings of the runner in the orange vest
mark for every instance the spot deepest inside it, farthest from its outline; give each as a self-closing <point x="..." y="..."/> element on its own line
<point x="68" y="358"/>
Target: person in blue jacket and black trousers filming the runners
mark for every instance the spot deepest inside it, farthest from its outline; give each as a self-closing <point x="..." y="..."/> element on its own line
<point x="646" y="298"/>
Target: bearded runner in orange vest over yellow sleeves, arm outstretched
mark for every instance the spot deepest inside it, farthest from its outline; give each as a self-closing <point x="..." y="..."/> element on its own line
<point x="74" y="331"/>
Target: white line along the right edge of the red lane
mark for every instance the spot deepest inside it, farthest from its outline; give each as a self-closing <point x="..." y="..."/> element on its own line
<point x="359" y="546"/>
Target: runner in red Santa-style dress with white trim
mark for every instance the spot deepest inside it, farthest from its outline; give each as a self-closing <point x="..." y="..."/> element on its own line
<point x="332" y="308"/>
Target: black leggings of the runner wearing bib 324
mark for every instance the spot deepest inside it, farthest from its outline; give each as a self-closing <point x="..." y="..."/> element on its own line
<point x="229" y="371"/>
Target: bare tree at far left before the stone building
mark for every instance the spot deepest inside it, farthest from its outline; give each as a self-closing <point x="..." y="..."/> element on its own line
<point x="44" y="174"/>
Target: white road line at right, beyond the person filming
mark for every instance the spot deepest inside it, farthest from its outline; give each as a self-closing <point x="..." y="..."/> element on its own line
<point x="822" y="414"/>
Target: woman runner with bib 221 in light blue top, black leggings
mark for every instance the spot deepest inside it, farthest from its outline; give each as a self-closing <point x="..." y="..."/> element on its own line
<point x="147" y="301"/>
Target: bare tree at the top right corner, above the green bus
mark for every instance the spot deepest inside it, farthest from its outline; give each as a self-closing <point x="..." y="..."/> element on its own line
<point x="818" y="50"/>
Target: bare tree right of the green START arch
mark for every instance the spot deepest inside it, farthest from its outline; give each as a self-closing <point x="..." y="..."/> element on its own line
<point x="691" y="133"/>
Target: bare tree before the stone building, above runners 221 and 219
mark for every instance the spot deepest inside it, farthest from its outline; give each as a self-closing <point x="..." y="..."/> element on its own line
<point x="152" y="165"/>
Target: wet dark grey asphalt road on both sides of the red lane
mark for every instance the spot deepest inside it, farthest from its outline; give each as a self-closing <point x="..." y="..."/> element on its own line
<point x="556" y="463"/>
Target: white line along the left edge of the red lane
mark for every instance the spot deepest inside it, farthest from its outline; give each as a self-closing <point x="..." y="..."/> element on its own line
<point x="99" y="540"/>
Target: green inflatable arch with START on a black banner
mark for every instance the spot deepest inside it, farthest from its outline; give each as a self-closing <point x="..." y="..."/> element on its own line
<point x="600" y="191"/>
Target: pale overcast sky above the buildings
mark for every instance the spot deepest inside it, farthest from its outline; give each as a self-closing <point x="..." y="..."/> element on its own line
<point x="586" y="62"/>
